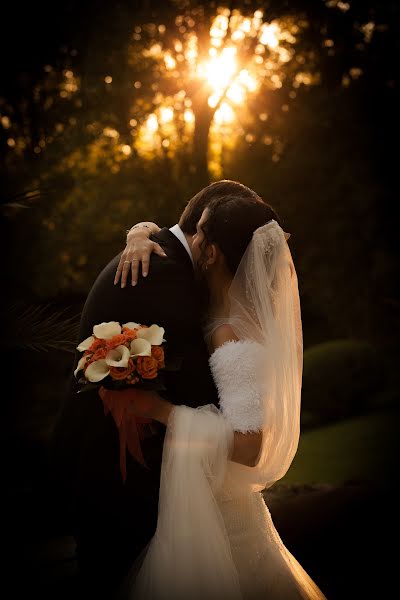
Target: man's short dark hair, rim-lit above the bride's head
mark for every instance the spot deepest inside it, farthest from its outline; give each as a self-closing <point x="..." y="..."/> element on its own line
<point x="218" y="189"/>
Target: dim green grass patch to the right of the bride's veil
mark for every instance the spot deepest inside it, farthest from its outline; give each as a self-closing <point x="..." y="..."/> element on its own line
<point x="360" y="449"/>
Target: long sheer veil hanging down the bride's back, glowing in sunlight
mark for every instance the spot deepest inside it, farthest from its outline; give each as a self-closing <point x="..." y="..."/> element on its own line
<point x="265" y="307"/>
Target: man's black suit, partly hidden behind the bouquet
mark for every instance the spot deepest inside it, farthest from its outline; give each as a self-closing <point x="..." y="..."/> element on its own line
<point x="113" y="521"/>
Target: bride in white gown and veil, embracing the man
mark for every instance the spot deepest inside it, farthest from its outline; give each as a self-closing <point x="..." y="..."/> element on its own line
<point x="215" y="537"/>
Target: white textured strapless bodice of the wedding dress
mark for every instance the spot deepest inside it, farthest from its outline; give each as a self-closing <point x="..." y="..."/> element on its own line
<point x="234" y="367"/>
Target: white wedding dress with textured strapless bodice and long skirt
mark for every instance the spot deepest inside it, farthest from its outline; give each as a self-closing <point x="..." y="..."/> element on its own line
<point x="215" y="537"/>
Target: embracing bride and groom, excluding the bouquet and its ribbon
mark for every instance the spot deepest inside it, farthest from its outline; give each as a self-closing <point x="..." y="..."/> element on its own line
<point x="193" y="523"/>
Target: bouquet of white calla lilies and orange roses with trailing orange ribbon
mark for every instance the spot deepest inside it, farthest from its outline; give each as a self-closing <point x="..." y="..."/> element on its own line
<point x="117" y="358"/>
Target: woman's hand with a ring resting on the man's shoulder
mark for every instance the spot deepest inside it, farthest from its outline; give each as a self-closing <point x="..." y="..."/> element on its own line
<point x="137" y="251"/>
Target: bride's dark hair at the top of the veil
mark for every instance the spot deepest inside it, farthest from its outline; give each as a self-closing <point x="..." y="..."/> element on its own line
<point x="231" y="222"/>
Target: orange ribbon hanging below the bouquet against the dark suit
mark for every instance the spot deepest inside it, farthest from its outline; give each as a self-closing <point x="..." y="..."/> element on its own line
<point x="131" y="429"/>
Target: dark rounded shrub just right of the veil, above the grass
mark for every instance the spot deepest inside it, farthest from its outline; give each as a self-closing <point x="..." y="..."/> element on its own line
<point x="341" y="378"/>
